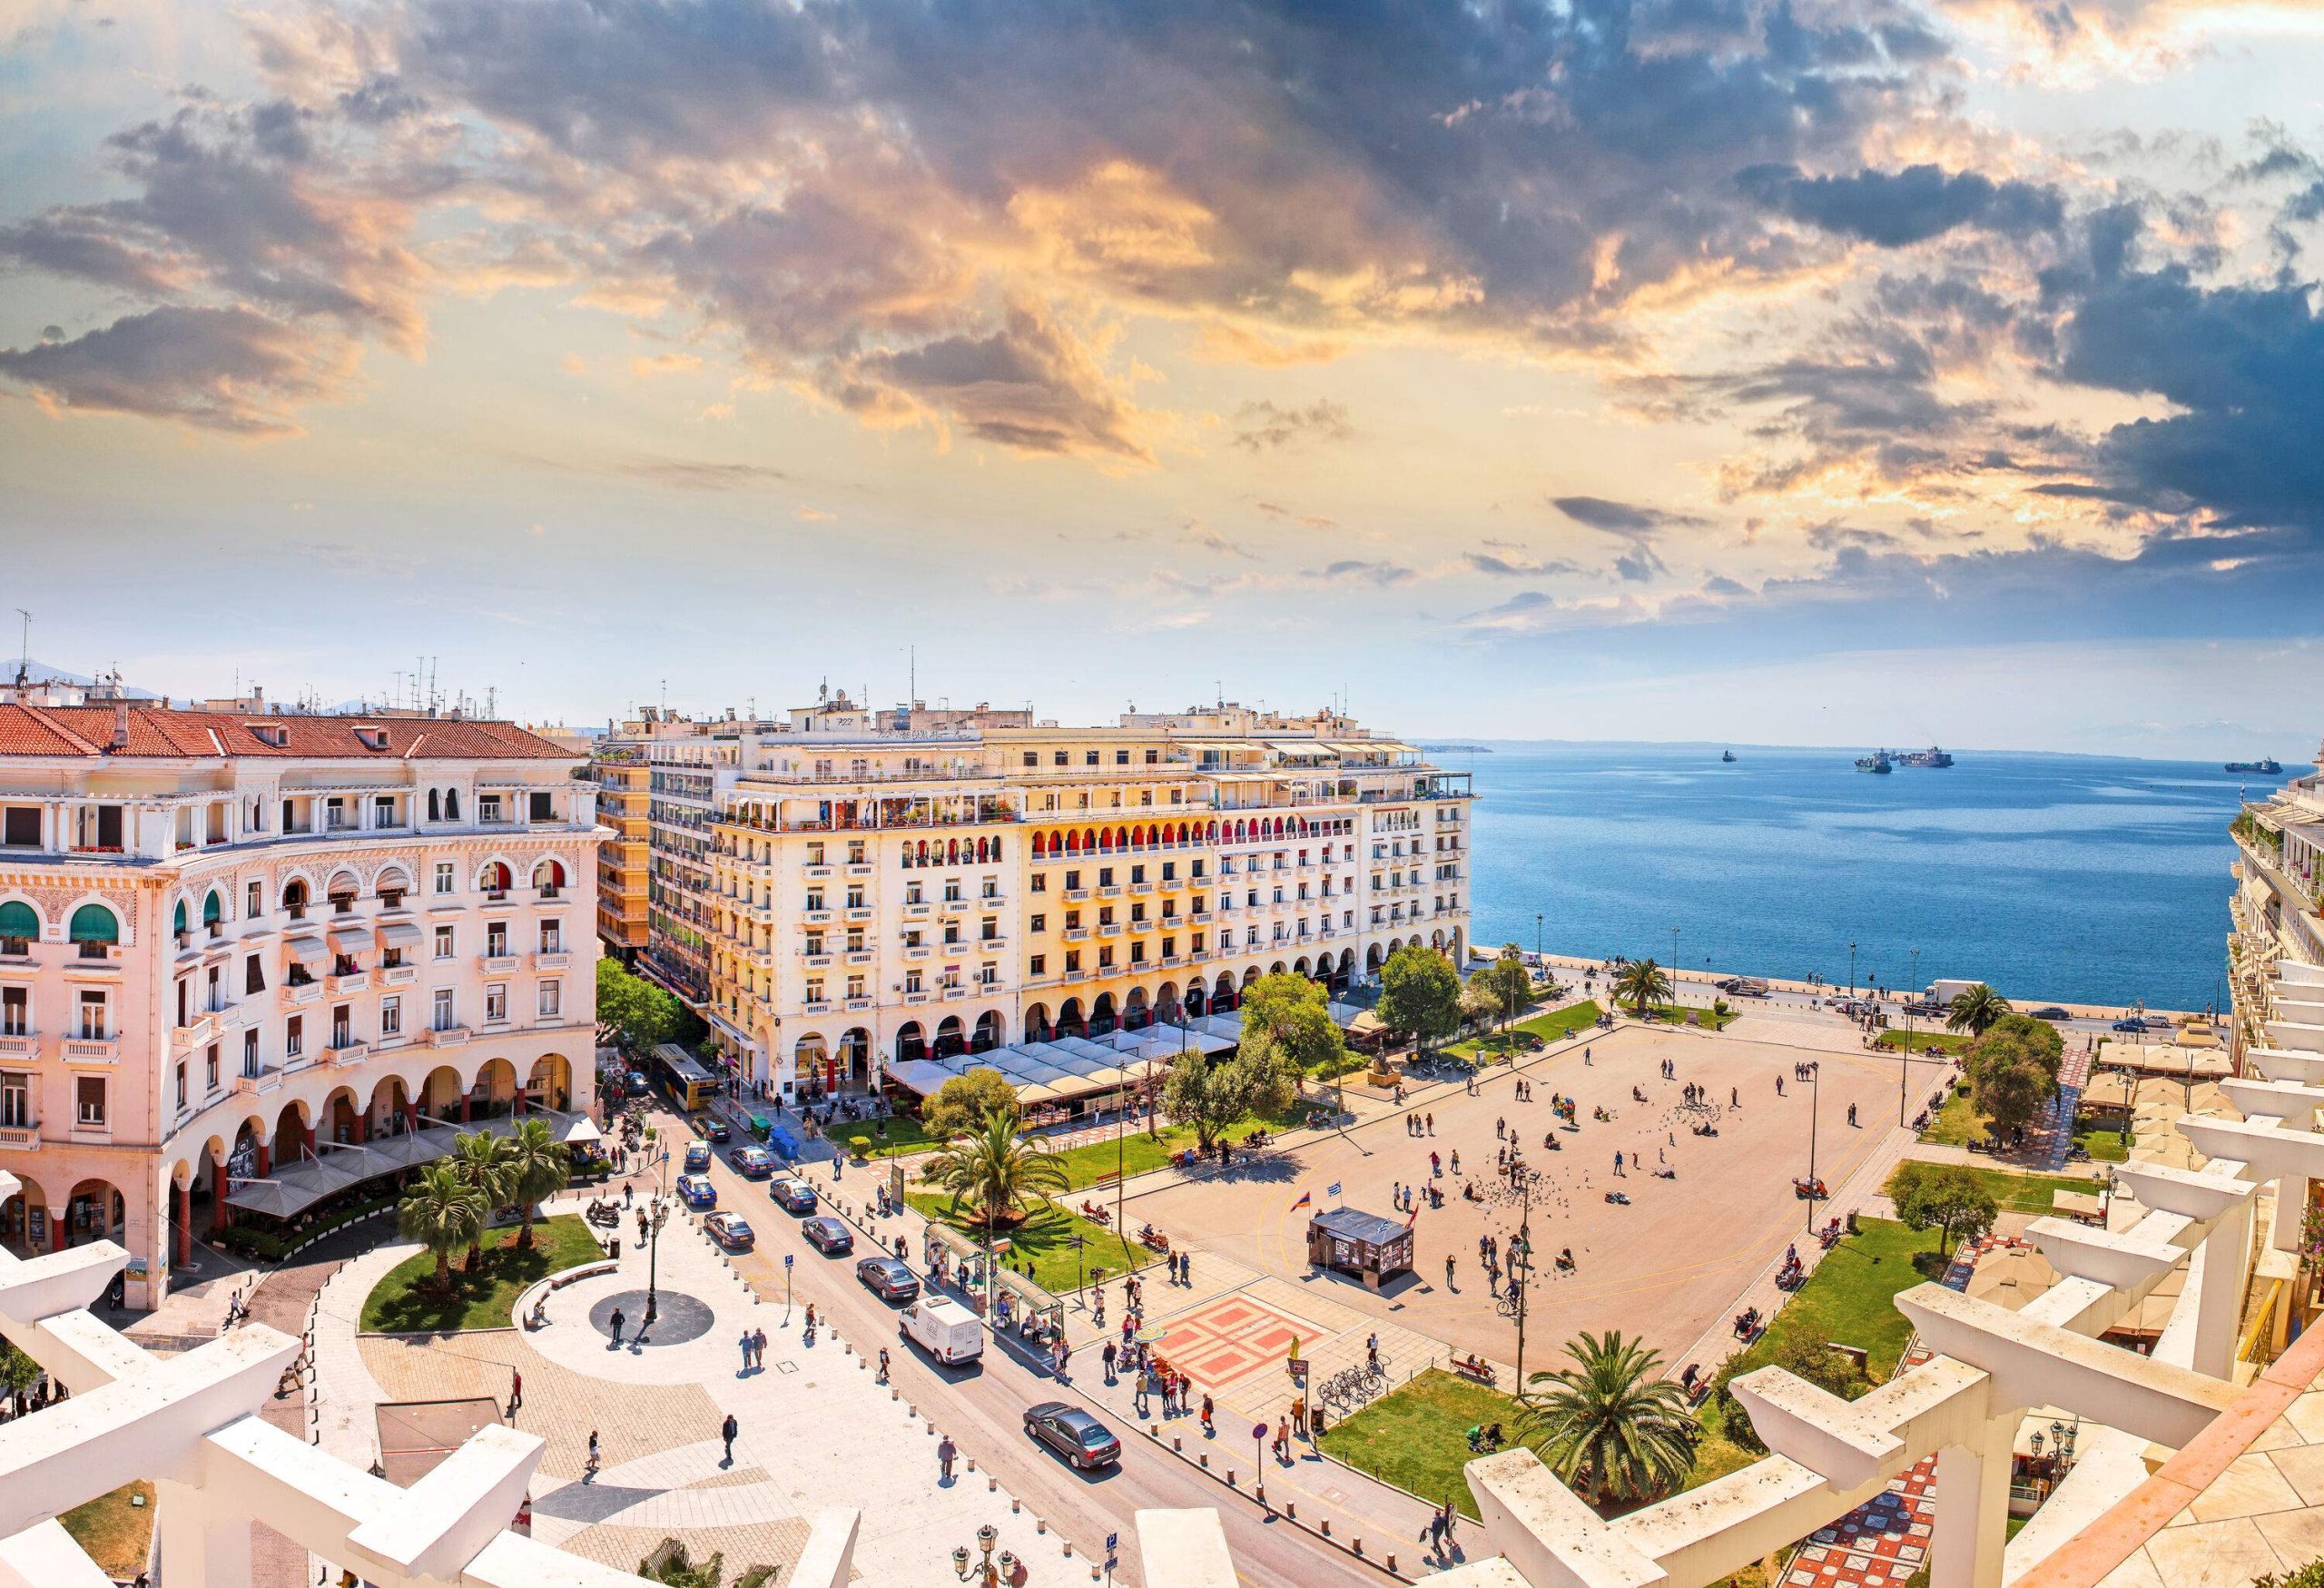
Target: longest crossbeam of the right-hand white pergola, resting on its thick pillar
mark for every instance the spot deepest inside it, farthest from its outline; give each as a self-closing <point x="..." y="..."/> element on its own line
<point x="2039" y="1364"/>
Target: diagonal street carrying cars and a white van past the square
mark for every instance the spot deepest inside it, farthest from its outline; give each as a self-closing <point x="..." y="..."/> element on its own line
<point x="984" y="1410"/>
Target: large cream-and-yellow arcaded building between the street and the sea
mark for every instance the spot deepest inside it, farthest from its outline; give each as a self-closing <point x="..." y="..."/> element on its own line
<point x="849" y="889"/>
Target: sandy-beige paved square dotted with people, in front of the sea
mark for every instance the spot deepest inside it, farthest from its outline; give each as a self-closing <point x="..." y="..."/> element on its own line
<point x="1667" y="1266"/>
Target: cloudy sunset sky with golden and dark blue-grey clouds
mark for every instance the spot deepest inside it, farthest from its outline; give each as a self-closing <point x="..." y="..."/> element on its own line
<point x="1772" y="371"/>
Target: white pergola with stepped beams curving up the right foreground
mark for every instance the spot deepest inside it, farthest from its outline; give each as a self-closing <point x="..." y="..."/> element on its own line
<point x="1965" y="1405"/>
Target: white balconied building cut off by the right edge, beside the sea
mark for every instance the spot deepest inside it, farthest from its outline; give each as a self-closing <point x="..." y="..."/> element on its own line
<point x="2276" y="940"/>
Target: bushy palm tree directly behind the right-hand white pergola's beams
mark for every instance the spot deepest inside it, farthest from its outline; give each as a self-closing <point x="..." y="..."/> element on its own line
<point x="1612" y="1422"/>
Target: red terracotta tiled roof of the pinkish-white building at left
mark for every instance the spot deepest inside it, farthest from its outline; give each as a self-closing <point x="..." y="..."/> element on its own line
<point x="164" y="734"/>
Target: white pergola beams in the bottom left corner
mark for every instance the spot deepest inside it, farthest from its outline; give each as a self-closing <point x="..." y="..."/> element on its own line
<point x="189" y="1424"/>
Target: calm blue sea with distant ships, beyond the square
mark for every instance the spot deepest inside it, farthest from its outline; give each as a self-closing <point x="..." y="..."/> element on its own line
<point x="2049" y="875"/>
